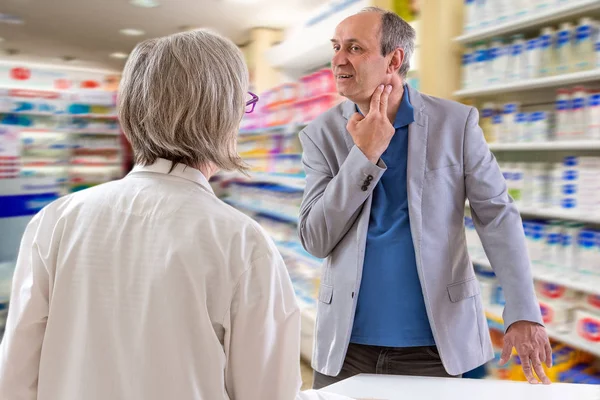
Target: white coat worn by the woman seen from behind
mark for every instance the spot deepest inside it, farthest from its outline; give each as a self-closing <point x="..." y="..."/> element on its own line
<point x="150" y="288"/>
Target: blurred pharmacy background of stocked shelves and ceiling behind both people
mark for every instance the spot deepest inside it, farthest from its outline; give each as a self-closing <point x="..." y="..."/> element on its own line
<point x="531" y="68"/>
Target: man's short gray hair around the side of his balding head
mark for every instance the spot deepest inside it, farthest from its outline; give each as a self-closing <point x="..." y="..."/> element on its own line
<point x="395" y="33"/>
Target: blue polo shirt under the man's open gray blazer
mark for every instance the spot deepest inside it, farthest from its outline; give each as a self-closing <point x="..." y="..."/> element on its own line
<point x="391" y="309"/>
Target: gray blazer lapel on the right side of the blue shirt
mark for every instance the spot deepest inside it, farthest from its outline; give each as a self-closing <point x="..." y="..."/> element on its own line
<point x="417" y="154"/>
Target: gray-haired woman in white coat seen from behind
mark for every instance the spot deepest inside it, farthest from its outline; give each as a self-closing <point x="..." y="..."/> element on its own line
<point x="150" y="287"/>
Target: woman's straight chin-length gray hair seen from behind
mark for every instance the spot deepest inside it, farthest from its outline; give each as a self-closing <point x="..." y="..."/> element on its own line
<point x="182" y="98"/>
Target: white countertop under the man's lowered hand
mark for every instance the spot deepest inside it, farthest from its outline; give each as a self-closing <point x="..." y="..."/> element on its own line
<point x="390" y="387"/>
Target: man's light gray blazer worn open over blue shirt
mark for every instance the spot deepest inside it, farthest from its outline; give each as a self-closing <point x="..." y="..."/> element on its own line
<point x="448" y="162"/>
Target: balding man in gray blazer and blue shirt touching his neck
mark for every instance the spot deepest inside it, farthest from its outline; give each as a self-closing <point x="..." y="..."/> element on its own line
<point x="387" y="175"/>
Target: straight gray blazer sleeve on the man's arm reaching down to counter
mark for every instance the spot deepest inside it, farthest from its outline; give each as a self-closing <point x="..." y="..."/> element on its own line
<point x="499" y="225"/>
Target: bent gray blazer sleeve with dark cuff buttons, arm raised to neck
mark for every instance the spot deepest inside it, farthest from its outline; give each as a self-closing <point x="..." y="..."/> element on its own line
<point x="331" y="203"/>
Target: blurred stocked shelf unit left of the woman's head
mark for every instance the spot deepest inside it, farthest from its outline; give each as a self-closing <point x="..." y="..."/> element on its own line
<point x="78" y="149"/>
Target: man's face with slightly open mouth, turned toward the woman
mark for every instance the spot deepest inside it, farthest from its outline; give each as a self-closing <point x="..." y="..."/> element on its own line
<point x="357" y="64"/>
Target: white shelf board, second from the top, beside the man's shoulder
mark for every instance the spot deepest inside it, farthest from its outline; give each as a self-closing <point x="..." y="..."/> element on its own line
<point x="530" y="84"/>
